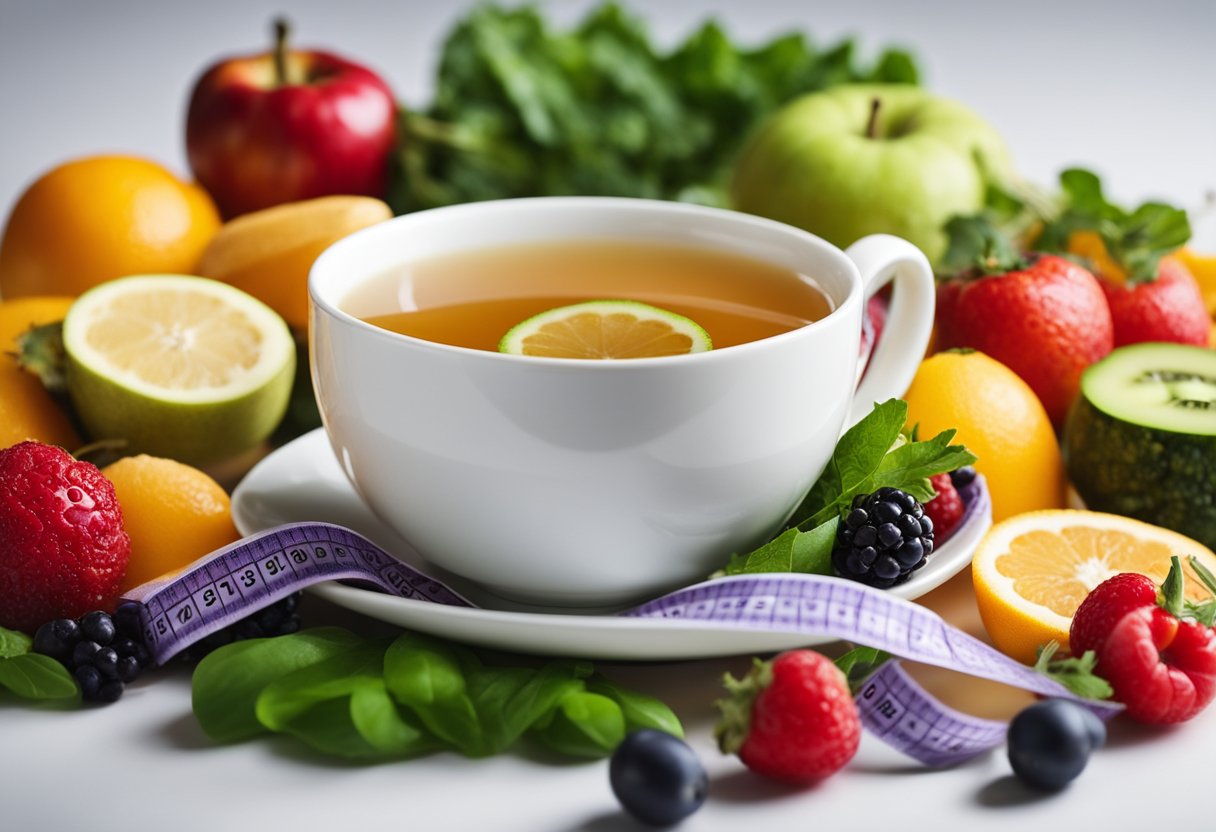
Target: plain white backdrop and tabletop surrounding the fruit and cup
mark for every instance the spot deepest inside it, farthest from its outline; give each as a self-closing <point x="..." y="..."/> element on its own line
<point x="1122" y="87"/>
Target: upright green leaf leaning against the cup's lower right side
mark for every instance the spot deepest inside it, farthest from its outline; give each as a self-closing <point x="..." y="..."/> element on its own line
<point x="857" y="458"/>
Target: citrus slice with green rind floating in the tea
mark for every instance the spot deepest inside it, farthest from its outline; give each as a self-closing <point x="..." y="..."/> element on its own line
<point x="606" y="330"/>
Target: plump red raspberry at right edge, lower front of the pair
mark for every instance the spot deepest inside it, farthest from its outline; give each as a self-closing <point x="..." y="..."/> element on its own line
<point x="1162" y="668"/>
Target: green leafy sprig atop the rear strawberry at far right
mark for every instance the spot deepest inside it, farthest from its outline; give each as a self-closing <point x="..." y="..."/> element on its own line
<point x="1135" y="240"/>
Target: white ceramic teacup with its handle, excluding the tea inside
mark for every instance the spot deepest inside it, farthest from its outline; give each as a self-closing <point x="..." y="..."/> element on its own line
<point x="592" y="484"/>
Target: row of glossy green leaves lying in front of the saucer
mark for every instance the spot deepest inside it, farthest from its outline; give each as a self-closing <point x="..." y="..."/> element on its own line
<point x="370" y="700"/>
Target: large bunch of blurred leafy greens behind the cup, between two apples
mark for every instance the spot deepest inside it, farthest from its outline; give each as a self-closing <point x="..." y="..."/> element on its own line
<point x="522" y="110"/>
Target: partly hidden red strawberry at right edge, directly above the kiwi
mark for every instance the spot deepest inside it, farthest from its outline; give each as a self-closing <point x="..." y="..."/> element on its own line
<point x="1169" y="307"/>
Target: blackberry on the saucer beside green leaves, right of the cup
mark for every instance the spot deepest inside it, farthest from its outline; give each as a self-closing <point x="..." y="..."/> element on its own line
<point x="885" y="538"/>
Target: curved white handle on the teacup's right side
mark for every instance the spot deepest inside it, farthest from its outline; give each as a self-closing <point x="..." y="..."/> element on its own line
<point x="905" y="339"/>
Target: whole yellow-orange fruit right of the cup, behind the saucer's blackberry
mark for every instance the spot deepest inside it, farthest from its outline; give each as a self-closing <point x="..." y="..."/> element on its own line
<point x="1000" y="420"/>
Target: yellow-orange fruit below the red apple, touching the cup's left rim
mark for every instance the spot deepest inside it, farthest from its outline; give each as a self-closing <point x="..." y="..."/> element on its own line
<point x="269" y="254"/>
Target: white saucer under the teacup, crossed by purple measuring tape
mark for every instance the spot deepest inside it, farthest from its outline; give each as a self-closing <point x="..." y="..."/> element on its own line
<point x="302" y="482"/>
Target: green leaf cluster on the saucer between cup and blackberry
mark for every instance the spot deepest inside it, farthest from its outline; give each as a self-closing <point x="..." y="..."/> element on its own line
<point x="872" y="454"/>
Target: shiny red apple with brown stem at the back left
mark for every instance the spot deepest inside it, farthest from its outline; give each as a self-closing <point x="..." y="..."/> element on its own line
<point x="286" y="126"/>
